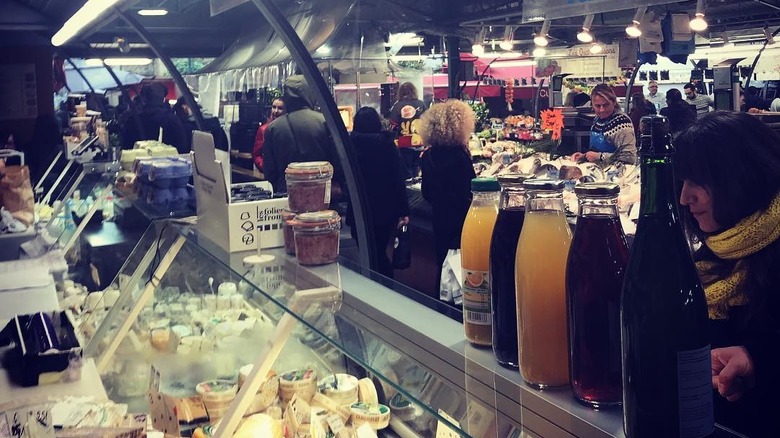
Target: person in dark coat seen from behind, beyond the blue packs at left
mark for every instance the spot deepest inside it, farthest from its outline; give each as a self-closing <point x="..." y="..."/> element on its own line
<point x="155" y="113"/>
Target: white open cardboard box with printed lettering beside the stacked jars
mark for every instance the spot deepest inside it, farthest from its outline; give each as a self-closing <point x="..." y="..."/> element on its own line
<point x="232" y="226"/>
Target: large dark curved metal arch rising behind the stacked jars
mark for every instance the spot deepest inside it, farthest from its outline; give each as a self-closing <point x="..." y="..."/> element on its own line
<point x="340" y="136"/>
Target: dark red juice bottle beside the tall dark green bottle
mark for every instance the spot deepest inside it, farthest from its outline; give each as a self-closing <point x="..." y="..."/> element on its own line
<point x="594" y="278"/>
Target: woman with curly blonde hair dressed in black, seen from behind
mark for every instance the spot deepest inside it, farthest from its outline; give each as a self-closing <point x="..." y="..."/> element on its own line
<point x="447" y="171"/>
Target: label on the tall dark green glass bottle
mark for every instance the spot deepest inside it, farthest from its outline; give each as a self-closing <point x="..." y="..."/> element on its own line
<point x="694" y="392"/>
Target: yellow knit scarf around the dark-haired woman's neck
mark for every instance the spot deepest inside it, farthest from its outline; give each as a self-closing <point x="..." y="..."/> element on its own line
<point x="747" y="237"/>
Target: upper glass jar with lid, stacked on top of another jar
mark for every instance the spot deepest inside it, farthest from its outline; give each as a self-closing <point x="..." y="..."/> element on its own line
<point x="308" y="186"/>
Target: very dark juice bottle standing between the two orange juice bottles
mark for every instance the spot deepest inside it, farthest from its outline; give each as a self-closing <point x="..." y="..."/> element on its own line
<point x="503" y="247"/>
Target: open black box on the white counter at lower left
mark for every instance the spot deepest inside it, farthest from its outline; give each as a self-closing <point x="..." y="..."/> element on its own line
<point x="29" y="368"/>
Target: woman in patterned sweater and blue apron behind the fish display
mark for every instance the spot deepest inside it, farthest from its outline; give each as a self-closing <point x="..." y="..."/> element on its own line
<point x="612" y="136"/>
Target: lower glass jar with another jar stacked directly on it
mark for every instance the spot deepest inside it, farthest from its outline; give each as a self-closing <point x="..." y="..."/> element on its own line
<point x="317" y="237"/>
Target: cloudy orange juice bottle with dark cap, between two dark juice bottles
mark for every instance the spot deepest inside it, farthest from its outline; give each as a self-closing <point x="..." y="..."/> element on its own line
<point x="540" y="271"/>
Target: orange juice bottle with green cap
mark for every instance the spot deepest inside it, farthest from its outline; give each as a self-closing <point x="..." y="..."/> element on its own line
<point x="475" y="260"/>
